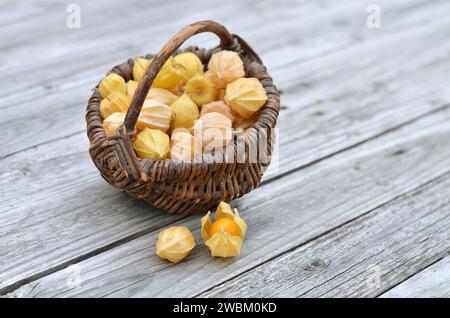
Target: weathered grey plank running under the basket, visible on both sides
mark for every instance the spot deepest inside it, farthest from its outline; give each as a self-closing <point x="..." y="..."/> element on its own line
<point x="66" y="194"/>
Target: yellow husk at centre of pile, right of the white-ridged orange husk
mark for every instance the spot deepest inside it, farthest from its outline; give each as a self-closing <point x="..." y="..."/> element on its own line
<point x="186" y="112"/>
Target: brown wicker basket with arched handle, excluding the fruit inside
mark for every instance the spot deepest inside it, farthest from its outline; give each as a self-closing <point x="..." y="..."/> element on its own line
<point x="176" y="186"/>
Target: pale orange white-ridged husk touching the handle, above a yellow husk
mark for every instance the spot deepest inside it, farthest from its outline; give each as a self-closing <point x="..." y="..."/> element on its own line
<point x="155" y="115"/>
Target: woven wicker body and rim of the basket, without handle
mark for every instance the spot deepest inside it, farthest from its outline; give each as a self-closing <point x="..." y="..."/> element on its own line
<point x="184" y="186"/>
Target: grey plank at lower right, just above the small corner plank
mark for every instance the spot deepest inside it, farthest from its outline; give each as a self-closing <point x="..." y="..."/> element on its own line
<point x="363" y="258"/>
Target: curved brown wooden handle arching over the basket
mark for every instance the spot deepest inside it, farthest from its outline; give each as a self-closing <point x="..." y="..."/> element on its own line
<point x="163" y="55"/>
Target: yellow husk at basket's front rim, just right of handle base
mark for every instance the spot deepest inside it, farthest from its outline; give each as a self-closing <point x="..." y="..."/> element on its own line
<point x="152" y="143"/>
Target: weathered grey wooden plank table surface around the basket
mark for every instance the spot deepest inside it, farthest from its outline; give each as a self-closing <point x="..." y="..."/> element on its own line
<point x="358" y="204"/>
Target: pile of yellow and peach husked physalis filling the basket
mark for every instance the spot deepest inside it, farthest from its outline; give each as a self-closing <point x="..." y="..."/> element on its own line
<point x="188" y="111"/>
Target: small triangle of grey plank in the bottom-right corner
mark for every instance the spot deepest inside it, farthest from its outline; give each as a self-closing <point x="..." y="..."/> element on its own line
<point x="432" y="282"/>
